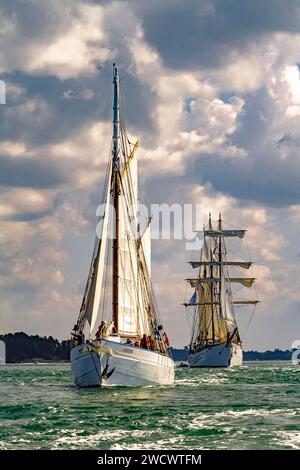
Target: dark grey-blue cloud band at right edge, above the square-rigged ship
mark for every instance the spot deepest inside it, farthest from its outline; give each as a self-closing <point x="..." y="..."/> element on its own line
<point x="267" y="182"/>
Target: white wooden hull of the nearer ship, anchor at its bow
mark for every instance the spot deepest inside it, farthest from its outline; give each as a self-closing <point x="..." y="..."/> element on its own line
<point x="115" y="363"/>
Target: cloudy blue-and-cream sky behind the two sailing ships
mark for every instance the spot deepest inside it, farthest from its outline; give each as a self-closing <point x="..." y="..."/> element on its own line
<point x="210" y="87"/>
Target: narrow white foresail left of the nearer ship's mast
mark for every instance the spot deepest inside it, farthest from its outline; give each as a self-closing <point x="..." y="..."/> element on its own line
<point x="101" y="260"/>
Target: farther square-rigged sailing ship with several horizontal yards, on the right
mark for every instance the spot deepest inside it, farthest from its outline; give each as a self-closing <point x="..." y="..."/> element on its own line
<point x="215" y="340"/>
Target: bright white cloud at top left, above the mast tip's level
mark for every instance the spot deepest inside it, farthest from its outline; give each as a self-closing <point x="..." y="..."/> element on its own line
<point x="77" y="47"/>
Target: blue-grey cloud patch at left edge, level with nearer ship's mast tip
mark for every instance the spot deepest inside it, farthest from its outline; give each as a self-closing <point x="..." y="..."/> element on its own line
<point x="55" y="118"/>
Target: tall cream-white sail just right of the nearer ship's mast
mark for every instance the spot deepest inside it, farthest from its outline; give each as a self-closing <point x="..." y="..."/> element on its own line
<point x="127" y="270"/>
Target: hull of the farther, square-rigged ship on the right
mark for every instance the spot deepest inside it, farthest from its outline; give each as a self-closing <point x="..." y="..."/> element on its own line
<point x="219" y="355"/>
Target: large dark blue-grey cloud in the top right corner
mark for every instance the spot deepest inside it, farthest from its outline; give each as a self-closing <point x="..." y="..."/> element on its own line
<point x="208" y="33"/>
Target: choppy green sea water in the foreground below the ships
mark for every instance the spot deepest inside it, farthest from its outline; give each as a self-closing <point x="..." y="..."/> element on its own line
<point x="256" y="406"/>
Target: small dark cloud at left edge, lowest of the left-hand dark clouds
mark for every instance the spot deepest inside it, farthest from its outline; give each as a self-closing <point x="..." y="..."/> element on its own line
<point x="30" y="173"/>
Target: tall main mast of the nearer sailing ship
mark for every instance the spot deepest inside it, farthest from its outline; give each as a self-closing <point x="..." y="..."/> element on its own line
<point x="116" y="194"/>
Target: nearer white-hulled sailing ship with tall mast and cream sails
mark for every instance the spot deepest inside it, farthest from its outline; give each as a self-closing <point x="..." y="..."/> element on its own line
<point x="131" y="346"/>
